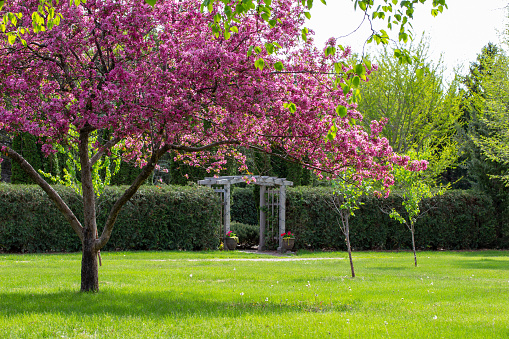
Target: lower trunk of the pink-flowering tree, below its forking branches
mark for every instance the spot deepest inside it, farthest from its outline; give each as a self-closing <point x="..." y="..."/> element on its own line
<point x="89" y="264"/>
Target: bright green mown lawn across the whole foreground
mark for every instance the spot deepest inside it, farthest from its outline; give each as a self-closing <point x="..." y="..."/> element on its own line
<point x="191" y="295"/>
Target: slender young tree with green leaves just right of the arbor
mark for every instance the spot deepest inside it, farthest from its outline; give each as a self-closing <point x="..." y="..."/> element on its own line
<point x="345" y="200"/>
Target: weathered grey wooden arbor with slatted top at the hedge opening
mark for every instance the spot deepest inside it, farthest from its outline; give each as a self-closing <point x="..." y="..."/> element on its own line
<point x="264" y="182"/>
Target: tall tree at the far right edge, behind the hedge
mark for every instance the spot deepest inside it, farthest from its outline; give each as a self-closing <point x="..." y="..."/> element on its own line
<point x="483" y="114"/>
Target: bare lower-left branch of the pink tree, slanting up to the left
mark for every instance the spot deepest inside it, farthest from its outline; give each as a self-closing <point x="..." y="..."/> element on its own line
<point x="52" y="194"/>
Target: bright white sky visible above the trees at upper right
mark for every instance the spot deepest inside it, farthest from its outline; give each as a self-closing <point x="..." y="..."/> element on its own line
<point x="459" y="33"/>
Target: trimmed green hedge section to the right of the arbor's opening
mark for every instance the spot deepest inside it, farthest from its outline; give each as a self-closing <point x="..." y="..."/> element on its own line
<point x="457" y="220"/>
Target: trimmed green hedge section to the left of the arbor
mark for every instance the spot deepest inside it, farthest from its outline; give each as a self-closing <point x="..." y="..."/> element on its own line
<point x="168" y="218"/>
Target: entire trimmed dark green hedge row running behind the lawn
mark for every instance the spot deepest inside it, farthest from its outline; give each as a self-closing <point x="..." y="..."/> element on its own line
<point x="187" y="218"/>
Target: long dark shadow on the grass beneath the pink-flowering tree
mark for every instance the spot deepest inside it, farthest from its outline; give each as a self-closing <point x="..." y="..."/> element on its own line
<point x="153" y="304"/>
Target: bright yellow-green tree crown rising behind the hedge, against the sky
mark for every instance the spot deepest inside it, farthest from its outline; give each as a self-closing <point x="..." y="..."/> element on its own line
<point x="421" y="114"/>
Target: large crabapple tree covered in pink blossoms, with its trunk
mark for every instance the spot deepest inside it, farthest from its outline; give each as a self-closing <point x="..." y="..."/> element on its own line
<point x="157" y="80"/>
